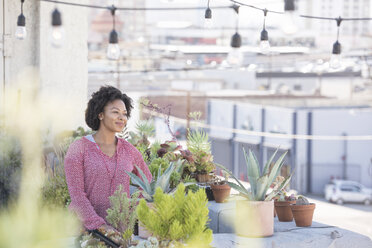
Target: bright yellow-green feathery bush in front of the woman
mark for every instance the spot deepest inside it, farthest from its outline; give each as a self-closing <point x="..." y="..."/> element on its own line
<point x="178" y="217"/>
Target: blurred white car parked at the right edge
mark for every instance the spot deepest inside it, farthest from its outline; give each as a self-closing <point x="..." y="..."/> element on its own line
<point x="340" y="191"/>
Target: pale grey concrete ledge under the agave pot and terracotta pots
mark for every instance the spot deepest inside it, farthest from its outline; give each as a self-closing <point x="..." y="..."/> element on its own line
<point x="286" y="234"/>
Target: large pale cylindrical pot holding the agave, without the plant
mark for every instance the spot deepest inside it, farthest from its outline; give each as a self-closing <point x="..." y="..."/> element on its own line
<point x="254" y="218"/>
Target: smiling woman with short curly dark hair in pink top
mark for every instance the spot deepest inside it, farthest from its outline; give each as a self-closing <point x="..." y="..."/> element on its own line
<point x="96" y="165"/>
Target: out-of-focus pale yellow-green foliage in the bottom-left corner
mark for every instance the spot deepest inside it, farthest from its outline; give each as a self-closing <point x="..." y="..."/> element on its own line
<point x="25" y="226"/>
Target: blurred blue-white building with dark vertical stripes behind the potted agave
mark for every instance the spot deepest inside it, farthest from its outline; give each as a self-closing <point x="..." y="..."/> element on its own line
<point x="315" y="161"/>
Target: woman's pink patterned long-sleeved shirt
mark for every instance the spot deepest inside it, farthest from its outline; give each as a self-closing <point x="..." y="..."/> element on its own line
<point x="90" y="172"/>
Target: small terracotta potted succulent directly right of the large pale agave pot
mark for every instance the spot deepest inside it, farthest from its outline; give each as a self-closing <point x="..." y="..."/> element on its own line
<point x="282" y="206"/>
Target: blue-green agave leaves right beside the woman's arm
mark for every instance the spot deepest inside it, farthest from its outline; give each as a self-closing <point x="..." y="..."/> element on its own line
<point x="162" y="180"/>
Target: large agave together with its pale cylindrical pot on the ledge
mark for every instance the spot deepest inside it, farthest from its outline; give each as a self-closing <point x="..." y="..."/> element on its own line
<point x="254" y="214"/>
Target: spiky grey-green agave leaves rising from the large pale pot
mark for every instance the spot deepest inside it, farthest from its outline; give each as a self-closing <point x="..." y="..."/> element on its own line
<point x="259" y="182"/>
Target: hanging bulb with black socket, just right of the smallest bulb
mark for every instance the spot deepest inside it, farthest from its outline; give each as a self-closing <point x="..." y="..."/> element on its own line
<point x="235" y="56"/>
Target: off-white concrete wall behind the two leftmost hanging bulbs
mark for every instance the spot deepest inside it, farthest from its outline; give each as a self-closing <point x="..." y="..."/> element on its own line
<point x="60" y="75"/>
